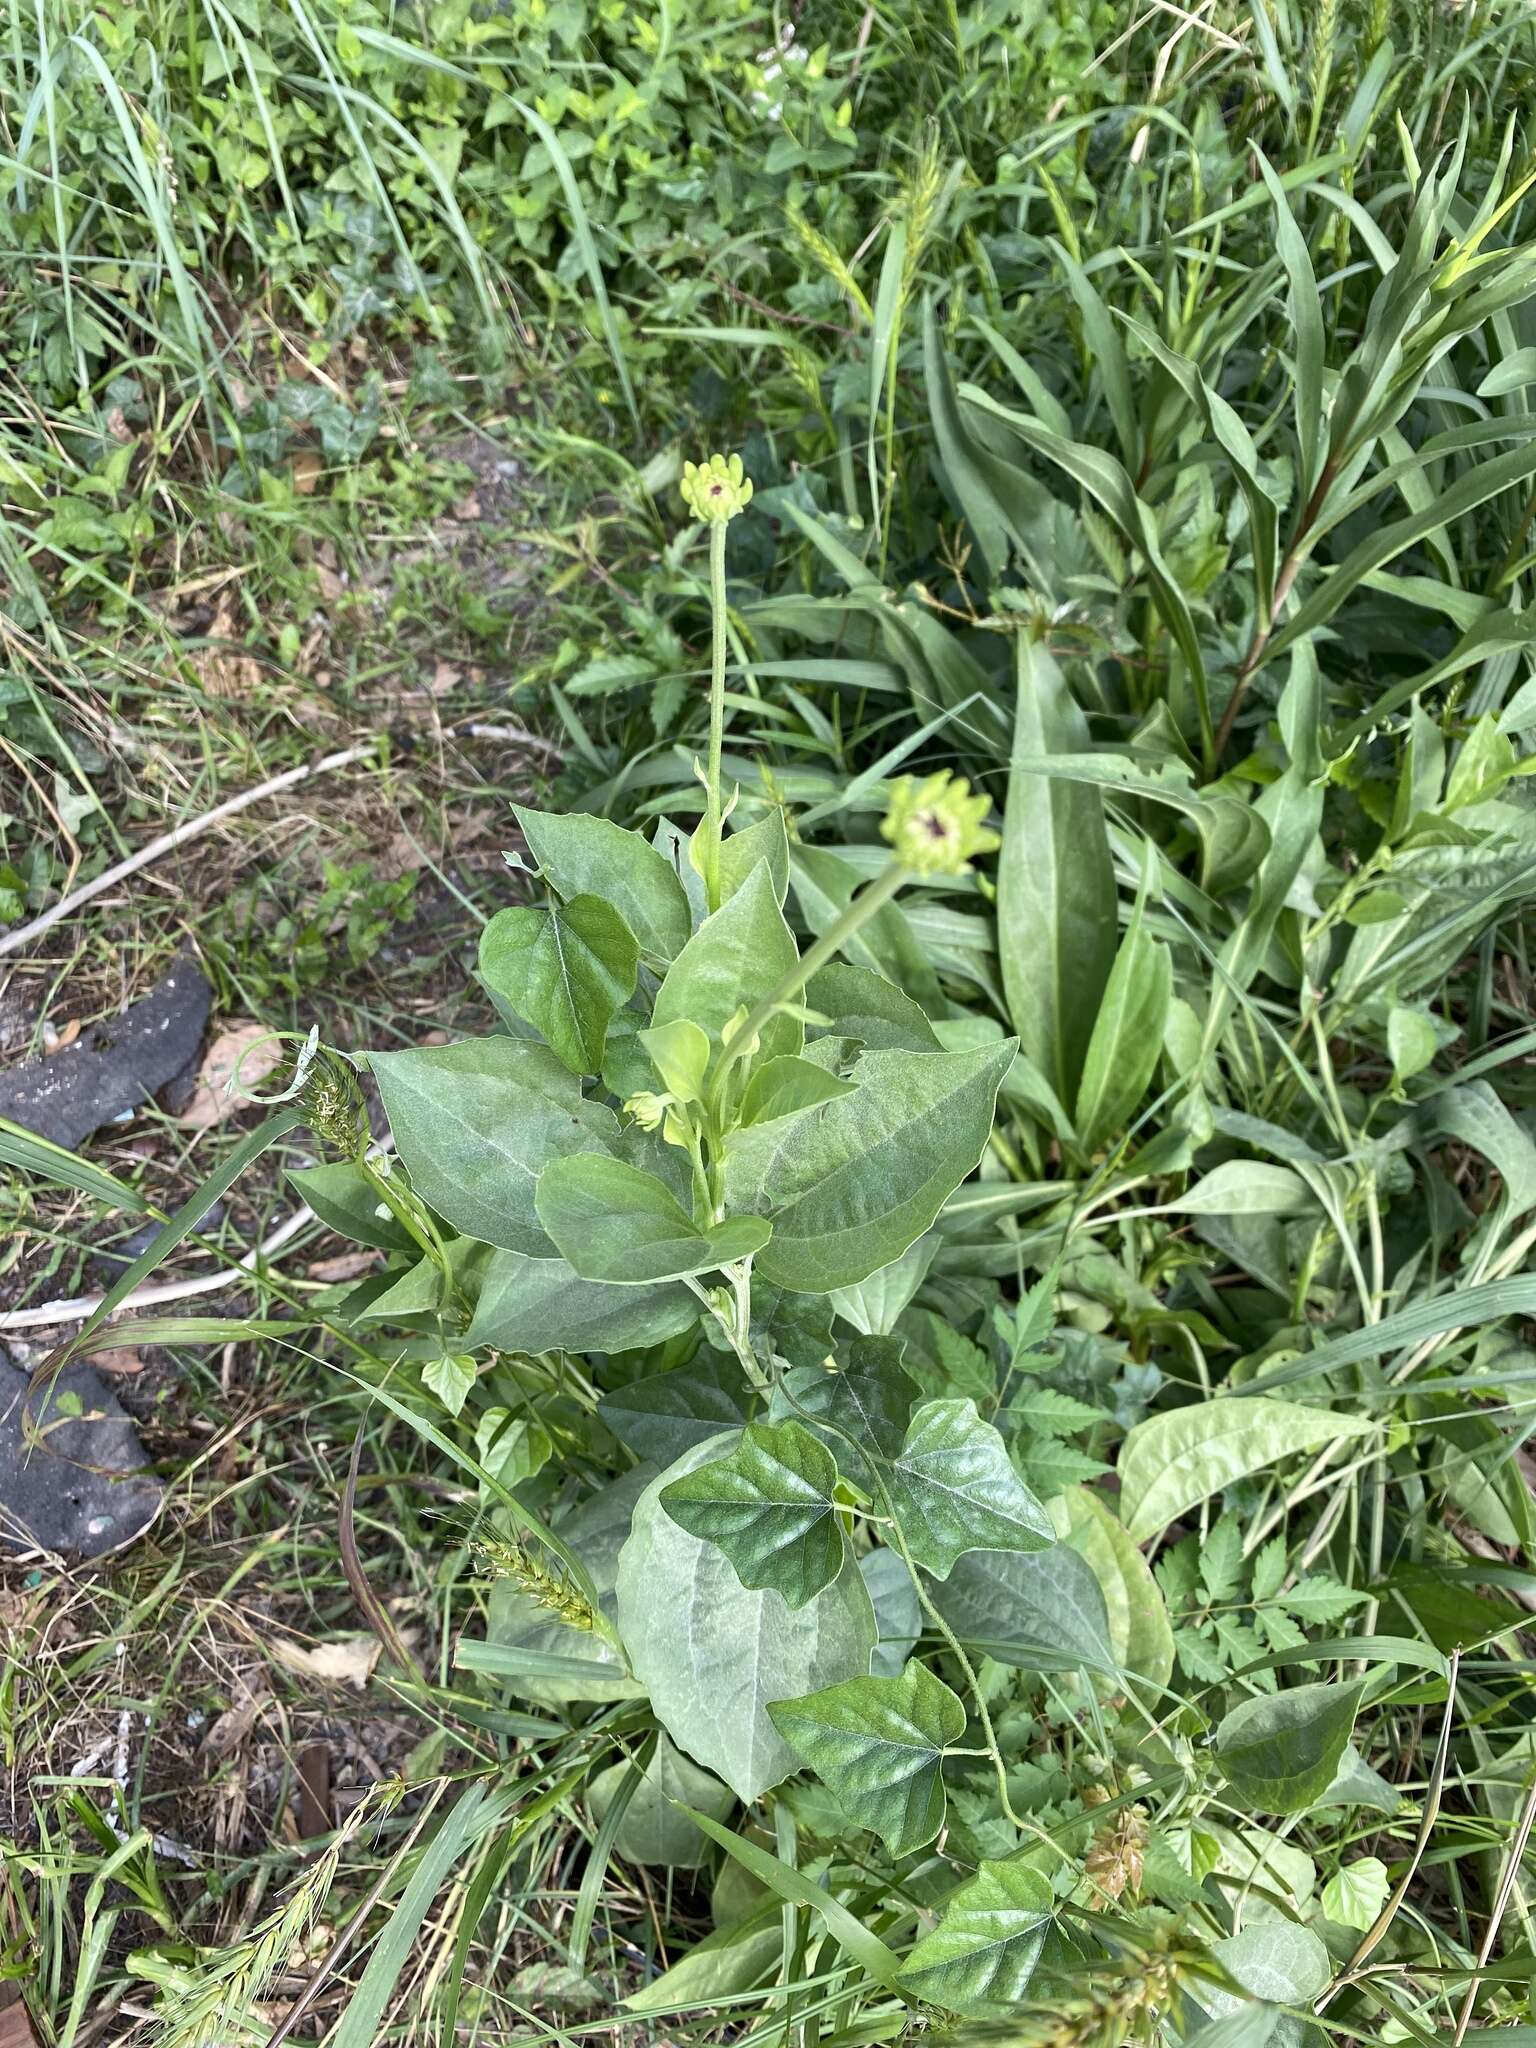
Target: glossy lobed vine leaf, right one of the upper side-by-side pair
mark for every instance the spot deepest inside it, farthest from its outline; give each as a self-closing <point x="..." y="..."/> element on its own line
<point x="955" y="1490"/>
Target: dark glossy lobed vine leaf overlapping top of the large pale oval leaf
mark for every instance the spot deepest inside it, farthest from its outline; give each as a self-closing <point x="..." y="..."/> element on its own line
<point x="769" y="1506"/>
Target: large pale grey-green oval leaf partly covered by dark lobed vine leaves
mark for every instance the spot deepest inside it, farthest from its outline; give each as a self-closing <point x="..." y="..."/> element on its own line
<point x="714" y="1656"/>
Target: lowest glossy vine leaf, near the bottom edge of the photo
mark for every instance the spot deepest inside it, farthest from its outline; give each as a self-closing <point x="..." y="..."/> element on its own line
<point x="984" y="1951"/>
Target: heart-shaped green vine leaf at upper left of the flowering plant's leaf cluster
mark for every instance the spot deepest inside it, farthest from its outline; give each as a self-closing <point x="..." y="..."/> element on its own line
<point x="562" y="970"/>
